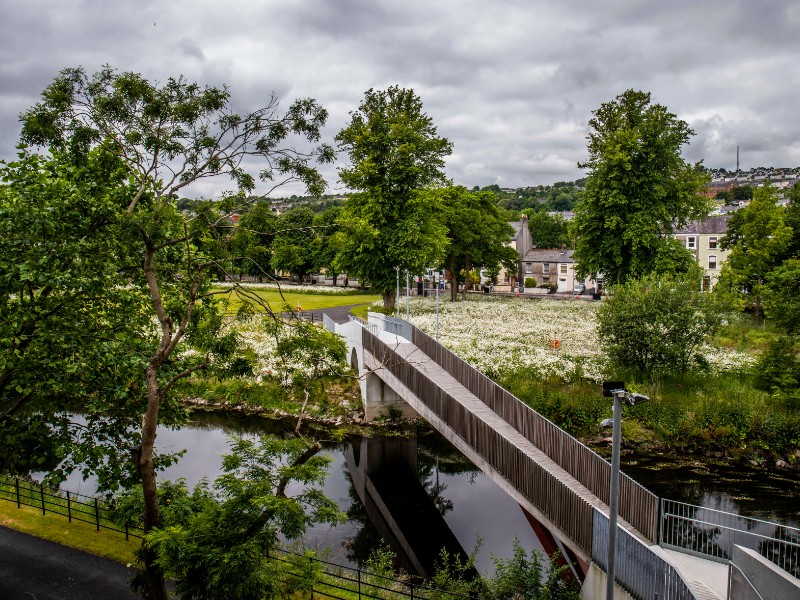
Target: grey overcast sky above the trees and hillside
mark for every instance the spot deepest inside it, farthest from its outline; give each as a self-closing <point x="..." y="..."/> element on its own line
<point x="511" y="84"/>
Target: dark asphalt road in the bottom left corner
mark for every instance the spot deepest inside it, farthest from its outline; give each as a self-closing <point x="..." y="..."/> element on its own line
<point x="35" y="569"/>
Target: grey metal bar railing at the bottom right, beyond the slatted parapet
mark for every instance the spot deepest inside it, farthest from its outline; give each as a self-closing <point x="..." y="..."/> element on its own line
<point x="712" y="534"/>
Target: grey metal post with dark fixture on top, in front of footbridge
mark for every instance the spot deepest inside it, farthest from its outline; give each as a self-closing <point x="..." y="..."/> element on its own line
<point x="620" y="394"/>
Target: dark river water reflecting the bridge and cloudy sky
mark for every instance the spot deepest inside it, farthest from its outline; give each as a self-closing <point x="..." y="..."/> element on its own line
<point x="420" y="494"/>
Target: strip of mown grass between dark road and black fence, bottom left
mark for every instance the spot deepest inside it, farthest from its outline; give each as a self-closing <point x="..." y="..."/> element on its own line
<point x="57" y="528"/>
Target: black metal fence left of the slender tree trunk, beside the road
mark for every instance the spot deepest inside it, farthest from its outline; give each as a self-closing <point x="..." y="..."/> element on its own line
<point x="76" y="507"/>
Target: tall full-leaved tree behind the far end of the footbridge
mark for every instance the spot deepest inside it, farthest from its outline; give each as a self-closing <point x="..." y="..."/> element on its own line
<point x="394" y="153"/>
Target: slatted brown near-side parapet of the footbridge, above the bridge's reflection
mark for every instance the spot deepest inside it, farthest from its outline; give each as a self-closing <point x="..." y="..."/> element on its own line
<point x="545" y="490"/>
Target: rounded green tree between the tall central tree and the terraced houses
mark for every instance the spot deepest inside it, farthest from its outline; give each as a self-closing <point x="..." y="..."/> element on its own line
<point x="478" y="234"/>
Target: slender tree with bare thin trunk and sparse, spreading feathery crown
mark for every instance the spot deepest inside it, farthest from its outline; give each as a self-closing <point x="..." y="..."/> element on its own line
<point x="169" y="136"/>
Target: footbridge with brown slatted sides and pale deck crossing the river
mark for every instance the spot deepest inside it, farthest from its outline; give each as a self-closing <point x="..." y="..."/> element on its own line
<point x="562" y="485"/>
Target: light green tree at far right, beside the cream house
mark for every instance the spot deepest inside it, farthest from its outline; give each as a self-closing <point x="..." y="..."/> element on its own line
<point x="758" y="239"/>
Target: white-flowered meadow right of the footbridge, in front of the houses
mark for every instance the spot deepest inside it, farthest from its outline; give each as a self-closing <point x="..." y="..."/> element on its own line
<point x="553" y="337"/>
